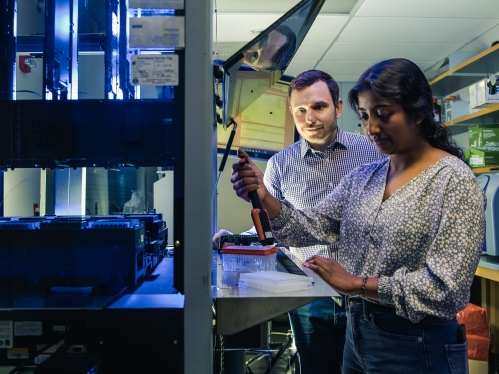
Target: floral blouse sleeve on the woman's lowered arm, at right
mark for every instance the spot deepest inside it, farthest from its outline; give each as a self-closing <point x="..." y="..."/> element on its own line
<point x="442" y="286"/>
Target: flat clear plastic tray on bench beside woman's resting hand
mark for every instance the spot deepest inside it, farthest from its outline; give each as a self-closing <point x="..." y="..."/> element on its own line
<point x="275" y="281"/>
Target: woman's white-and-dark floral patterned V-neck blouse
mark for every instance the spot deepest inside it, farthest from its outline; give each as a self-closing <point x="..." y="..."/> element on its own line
<point x="423" y="242"/>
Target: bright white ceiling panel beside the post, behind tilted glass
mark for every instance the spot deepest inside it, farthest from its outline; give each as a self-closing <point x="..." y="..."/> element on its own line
<point x="237" y="27"/>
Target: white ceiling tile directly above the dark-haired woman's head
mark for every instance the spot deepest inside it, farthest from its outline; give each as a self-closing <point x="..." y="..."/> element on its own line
<point x="416" y="52"/>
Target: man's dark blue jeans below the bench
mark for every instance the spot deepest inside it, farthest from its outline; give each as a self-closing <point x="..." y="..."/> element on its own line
<point x="319" y="334"/>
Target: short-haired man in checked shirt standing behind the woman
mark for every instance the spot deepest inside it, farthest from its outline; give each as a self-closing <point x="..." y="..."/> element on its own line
<point x="303" y="174"/>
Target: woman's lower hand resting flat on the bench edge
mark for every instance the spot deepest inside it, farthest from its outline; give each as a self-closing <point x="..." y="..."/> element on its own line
<point x="333" y="274"/>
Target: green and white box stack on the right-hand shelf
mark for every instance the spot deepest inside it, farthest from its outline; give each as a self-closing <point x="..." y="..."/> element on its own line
<point x="484" y="146"/>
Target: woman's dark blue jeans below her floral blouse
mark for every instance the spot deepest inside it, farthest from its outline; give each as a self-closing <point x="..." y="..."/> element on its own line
<point x="380" y="342"/>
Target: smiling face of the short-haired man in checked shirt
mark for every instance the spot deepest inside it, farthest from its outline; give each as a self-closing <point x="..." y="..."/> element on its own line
<point x="315" y="114"/>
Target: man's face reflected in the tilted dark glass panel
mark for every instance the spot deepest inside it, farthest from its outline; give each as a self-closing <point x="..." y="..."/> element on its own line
<point x="260" y="55"/>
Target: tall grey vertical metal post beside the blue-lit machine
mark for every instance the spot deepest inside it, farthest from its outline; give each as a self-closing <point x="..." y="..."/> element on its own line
<point x="199" y="154"/>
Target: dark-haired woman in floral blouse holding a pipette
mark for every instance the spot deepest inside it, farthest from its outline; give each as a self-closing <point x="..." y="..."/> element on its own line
<point x="410" y="230"/>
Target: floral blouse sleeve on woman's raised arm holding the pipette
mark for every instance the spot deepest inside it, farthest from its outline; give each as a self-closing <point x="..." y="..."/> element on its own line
<point x="313" y="226"/>
